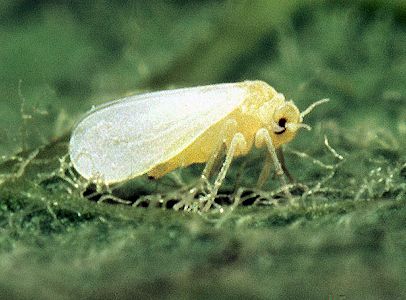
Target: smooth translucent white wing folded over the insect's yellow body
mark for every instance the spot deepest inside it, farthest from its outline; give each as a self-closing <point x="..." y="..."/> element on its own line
<point x="128" y="137"/>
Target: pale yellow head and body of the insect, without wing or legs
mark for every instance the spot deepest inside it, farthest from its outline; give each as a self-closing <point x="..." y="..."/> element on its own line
<point x="262" y="107"/>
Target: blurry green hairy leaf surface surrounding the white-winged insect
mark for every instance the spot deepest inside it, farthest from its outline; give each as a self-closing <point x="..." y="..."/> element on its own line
<point x="344" y="238"/>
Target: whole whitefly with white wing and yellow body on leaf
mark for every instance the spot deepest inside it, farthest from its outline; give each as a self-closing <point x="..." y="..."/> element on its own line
<point x="157" y="132"/>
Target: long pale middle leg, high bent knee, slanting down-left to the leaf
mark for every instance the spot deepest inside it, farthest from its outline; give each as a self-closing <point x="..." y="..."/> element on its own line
<point x="237" y="141"/>
